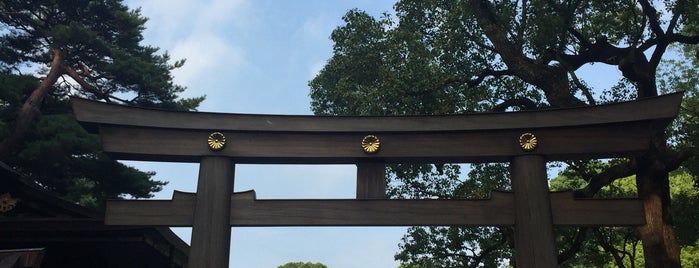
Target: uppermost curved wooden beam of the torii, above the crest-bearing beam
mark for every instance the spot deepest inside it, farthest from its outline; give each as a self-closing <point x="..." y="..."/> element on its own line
<point x="664" y="107"/>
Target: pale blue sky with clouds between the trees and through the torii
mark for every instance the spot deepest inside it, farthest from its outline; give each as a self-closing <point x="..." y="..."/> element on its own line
<point x="257" y="57"/>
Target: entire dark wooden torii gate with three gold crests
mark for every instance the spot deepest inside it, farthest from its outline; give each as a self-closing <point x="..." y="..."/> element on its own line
<point x="525" y="139"/>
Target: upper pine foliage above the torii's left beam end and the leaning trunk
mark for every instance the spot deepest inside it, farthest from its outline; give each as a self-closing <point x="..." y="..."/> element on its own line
<point x="100" y="44"/>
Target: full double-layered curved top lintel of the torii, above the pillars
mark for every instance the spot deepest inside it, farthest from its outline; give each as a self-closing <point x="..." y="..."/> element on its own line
<point x="611" y="130"/>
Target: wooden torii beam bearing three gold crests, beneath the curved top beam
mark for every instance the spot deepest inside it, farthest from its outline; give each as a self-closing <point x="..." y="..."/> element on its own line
<point x="599" y="141"/>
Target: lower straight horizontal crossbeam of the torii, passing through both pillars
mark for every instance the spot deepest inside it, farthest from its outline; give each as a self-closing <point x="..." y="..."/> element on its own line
<point x="246" y="210"/>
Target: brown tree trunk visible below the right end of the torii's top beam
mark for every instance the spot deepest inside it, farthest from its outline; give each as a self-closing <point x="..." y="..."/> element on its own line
<point x="660" y="249"/>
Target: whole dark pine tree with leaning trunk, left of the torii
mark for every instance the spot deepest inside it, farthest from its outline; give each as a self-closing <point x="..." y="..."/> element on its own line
<point x="50" y="50"/>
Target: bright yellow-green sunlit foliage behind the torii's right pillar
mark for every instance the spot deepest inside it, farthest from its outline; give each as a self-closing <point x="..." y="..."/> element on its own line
<point x="620" y="245"/>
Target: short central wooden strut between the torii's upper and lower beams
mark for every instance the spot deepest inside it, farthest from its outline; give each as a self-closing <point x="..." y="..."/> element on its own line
<point x="371" y="180"/>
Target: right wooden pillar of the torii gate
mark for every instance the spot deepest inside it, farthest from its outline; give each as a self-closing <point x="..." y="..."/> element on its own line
<point x="534" y="241"/>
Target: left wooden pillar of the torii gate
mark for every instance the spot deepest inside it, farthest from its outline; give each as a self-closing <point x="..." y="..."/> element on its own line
<point x="211" y="231"/>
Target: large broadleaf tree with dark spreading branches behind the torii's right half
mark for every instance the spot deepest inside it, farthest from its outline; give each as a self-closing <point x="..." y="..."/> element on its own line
<point x="441" y="57"/>
